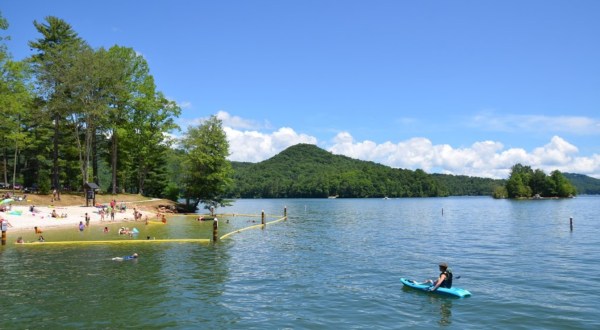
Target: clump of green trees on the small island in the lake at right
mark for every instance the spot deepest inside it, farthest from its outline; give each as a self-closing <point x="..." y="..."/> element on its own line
<point x="526" y="183"/>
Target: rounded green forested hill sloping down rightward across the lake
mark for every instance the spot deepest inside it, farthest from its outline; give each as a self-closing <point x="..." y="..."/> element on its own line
<point x="305" y="170"/>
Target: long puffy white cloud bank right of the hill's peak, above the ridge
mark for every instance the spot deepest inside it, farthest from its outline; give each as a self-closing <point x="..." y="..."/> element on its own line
<point x="482" y="159"/>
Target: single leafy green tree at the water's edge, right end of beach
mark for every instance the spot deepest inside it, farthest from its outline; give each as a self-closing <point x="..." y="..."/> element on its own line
<point x="207" y="172"/>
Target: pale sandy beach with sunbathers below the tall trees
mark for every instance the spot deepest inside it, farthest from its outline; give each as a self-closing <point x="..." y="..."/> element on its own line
<point x="20" y="217"/>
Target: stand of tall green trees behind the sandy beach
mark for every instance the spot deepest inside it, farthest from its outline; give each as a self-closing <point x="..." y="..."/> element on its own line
<point x="94" y="115"/>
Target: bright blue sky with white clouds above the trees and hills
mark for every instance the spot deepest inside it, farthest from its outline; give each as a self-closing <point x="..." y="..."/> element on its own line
<point x="460" y="87"/>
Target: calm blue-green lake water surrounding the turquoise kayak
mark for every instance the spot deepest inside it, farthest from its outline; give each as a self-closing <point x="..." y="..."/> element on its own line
<point x="333" y="264"/>
